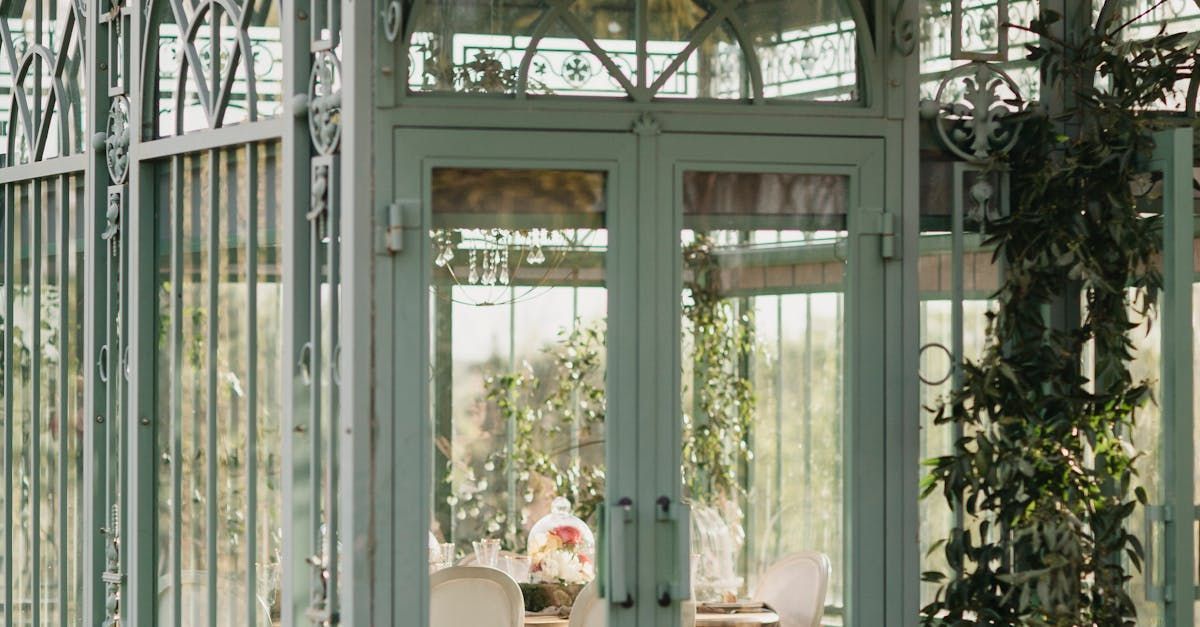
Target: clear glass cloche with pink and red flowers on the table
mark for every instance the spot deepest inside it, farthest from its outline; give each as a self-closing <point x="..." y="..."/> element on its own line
<point x="562" y="548"/>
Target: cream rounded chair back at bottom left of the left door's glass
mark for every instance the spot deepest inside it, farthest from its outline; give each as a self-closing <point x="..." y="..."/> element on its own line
<point x="475" y="596"/>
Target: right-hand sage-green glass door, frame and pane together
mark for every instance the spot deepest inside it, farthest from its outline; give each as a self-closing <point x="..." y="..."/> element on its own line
<point x="777" y="301"/>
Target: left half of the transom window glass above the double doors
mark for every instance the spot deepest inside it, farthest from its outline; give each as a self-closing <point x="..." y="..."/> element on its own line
<point x="479" y="46"/>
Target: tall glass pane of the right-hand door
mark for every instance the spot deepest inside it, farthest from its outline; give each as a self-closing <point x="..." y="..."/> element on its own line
<point x="763" y="383"/>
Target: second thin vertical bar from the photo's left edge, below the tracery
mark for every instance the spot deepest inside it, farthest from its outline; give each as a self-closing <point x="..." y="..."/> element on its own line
<point x="35" y="414"/>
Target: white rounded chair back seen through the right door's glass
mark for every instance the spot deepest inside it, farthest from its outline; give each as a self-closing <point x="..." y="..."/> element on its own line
<point x="795" y="588"/>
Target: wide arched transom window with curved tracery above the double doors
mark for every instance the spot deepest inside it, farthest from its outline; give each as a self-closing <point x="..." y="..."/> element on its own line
<point x="723" y="50"/>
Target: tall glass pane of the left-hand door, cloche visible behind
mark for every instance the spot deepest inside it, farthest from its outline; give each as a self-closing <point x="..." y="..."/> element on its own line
<point x="519" y="308"/>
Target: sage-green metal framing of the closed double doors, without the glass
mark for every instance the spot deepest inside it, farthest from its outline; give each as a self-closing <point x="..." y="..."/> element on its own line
<point x="645" y="282"/>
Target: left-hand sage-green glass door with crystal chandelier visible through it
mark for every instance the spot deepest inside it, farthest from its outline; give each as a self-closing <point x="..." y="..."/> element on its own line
<point x="529" y="260"/>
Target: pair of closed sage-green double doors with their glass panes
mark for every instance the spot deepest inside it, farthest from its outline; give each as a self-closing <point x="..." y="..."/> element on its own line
<point x="581" y="320"/>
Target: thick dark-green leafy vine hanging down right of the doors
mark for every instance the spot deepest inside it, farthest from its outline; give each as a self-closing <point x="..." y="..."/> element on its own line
<point x="1046" y="473"/>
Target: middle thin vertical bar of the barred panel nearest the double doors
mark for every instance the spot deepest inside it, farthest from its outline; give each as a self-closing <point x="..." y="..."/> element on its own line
<point x="211" y="455"/>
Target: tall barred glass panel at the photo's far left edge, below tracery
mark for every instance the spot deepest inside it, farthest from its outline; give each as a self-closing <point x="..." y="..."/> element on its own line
<point x="41" y="375"/>
